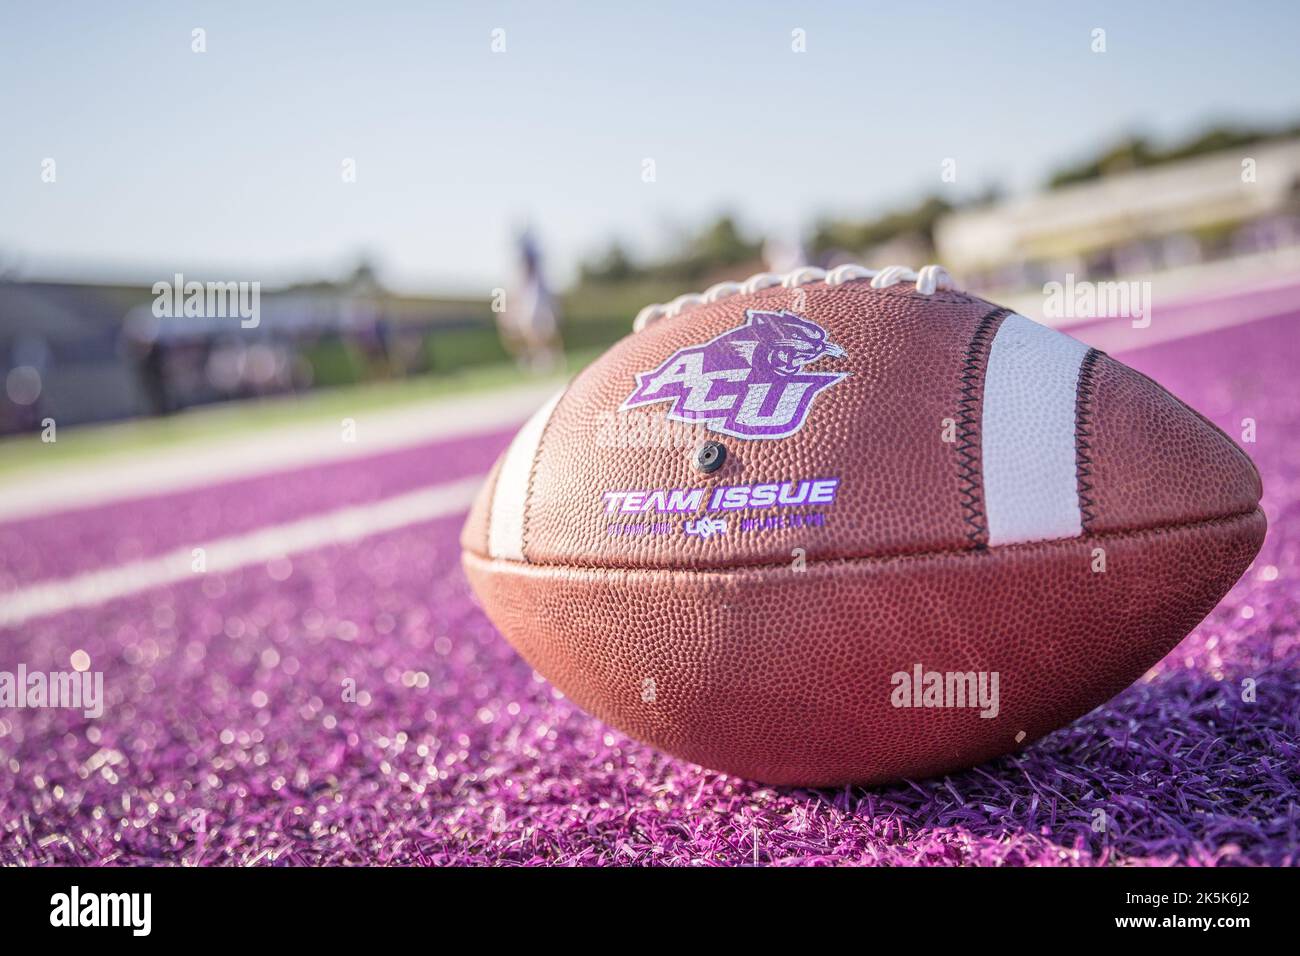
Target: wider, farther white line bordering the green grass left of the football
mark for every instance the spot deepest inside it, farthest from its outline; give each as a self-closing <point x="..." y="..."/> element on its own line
<point x="158" y="471"/>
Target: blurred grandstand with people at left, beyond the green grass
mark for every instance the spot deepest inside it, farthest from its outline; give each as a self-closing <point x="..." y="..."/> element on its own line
<point x="90" y="353"/>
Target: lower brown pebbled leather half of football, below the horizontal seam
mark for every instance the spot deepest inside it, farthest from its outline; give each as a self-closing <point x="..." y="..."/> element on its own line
<point x="785" y="677"/>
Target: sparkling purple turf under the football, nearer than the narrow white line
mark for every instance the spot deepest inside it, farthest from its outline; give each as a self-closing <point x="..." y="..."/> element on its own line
<point x="226" y="708"/>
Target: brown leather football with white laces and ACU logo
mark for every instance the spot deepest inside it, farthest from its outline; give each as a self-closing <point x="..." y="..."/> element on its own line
<point x="855" y="526"/>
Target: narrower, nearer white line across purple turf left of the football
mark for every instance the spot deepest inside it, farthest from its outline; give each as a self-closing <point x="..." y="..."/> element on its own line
<point x="229" y="553"/>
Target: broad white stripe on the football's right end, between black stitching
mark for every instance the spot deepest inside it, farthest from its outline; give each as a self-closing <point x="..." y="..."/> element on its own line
<point x="1032" y="491"/>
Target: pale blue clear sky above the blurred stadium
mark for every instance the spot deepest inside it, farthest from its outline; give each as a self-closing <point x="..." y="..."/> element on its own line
<point x="229" y="163"/>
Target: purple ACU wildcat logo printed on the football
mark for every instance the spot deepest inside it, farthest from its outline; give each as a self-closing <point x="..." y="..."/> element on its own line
<point x="749" y="383"/>
